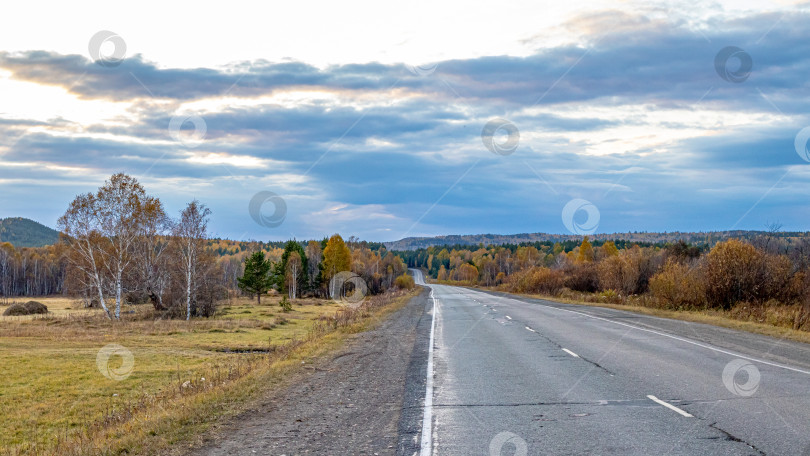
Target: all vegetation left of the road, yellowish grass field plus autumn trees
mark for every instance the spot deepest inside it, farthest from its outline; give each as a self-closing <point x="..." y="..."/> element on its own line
<point x="136" y="332"/>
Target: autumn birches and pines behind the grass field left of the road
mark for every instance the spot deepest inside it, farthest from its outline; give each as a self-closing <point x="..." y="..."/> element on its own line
<point x="118" y="245"/>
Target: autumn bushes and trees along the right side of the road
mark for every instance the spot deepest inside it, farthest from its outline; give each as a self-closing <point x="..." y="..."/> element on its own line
<point x="763" y="281"/>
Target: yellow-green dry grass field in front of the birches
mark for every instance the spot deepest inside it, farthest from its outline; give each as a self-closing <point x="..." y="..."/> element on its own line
<point x="62" y="391"/>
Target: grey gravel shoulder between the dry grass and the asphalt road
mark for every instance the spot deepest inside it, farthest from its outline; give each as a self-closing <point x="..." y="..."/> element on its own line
<point x="350" y="404"/>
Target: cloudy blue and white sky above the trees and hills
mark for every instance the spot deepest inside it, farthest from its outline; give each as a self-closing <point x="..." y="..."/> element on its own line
<point x="385" y="120"/>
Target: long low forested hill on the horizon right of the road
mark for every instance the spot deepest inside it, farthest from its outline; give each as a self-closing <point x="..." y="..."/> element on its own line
<point x="711" y="237"/>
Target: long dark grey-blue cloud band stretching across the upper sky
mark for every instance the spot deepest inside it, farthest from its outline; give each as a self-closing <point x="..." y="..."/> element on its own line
<point x="636" y="59"/>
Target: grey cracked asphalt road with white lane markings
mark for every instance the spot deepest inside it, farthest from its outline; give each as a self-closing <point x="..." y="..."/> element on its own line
<point x="524" y="376"/>
